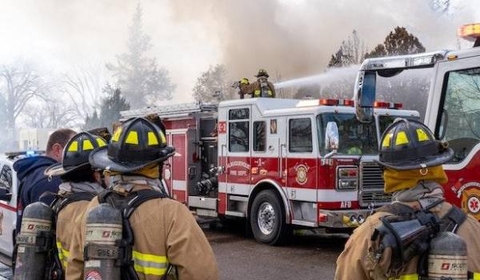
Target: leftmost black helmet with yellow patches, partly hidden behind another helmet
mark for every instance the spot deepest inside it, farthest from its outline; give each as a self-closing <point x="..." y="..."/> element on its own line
<point x="76" y="153"/>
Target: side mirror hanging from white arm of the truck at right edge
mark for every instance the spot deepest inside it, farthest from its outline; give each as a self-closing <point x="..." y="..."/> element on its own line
<point x="364" y="95"/>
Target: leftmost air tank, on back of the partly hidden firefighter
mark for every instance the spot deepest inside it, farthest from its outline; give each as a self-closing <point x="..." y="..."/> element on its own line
<point x="34" y="242"/>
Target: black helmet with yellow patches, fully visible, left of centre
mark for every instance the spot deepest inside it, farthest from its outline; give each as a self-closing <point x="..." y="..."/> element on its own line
<point x="134" y="145"/>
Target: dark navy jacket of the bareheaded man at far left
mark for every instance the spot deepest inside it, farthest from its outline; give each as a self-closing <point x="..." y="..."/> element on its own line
<point x="33" y="183"/>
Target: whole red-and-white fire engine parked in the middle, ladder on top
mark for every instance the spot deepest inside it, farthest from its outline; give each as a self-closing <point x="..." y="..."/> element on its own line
<point x="280" y="163"/>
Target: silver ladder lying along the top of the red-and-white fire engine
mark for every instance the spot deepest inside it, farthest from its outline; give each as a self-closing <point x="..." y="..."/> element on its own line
<point x="170" y="111"/>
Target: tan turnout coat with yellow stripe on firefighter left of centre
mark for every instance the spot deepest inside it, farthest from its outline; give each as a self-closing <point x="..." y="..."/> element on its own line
<point x="164" y="232"/>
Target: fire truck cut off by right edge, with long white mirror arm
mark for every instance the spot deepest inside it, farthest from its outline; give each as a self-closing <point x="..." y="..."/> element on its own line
<point x="452" y="112"/>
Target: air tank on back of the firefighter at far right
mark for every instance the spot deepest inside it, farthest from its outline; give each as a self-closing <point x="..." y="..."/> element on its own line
<point x="447" y="259"/>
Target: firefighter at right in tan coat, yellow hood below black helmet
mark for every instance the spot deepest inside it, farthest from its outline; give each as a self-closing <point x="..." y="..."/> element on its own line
<point x="412" y="160"/>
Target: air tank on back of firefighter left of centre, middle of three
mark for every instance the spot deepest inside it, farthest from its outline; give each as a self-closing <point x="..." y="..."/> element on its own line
<point x="103" y="229"/>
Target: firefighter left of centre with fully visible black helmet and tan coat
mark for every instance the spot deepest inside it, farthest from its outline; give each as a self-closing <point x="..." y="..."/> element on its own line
<point x="165" y="232"/>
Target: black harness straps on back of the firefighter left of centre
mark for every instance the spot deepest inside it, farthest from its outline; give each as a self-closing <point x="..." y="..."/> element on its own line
<point x="122" y="250"/>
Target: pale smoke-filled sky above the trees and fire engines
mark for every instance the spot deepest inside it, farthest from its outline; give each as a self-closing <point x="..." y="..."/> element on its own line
<point x="291" y="39"/>
